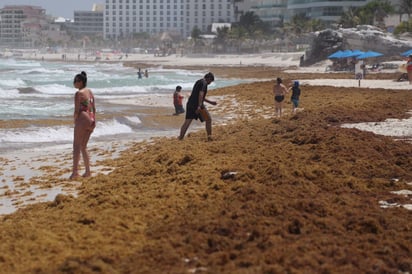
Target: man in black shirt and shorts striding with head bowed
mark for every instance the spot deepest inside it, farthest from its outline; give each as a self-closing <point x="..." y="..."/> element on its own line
<point x="195" y="108"/>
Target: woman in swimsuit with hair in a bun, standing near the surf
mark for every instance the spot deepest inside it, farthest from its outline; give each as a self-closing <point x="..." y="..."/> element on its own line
<point x="84" y="123"/>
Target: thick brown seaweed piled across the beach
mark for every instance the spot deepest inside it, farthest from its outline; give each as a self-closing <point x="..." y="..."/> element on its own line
<point x="299" y="194"/>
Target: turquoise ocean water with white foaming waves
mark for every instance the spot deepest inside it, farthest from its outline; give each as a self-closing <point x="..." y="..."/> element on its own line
<point x="34" y="91"/>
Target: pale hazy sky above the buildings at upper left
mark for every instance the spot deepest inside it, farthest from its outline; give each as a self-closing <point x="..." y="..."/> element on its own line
<point x="57" y="8"/>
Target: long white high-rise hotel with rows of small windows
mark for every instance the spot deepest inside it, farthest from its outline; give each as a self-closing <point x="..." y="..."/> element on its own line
<point x="122" y="18"/>
